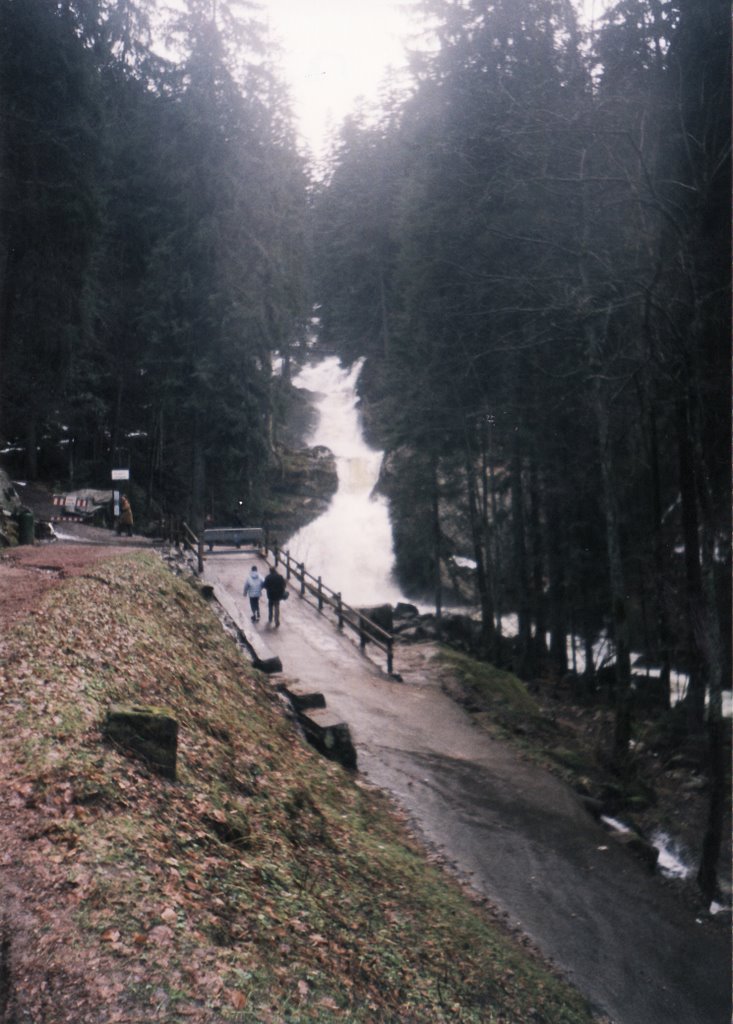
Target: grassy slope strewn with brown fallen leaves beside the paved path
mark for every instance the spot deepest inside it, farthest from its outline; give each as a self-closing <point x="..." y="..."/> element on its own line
<point x="265" y="885"/>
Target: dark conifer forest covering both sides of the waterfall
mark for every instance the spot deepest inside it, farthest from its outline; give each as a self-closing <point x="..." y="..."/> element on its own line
<point x="530" y="247"/>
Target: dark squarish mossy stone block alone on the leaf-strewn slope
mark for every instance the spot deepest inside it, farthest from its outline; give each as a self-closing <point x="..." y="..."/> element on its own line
<point x="149" y="734"/>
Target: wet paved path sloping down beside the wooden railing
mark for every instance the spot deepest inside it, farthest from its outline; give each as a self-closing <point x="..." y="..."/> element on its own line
<point x="624" y="940"/>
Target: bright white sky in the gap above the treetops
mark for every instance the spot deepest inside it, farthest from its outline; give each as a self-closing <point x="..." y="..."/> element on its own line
<point x="338" y="51"/>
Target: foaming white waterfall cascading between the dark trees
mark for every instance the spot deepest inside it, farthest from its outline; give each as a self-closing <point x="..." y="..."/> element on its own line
<point x="351" y="546"/>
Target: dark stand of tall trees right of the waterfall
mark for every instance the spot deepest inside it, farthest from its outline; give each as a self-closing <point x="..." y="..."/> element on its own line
<point x="533" y="253"/>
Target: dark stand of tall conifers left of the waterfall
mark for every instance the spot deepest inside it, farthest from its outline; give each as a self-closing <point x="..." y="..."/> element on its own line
<point x="152" y="247"/>
